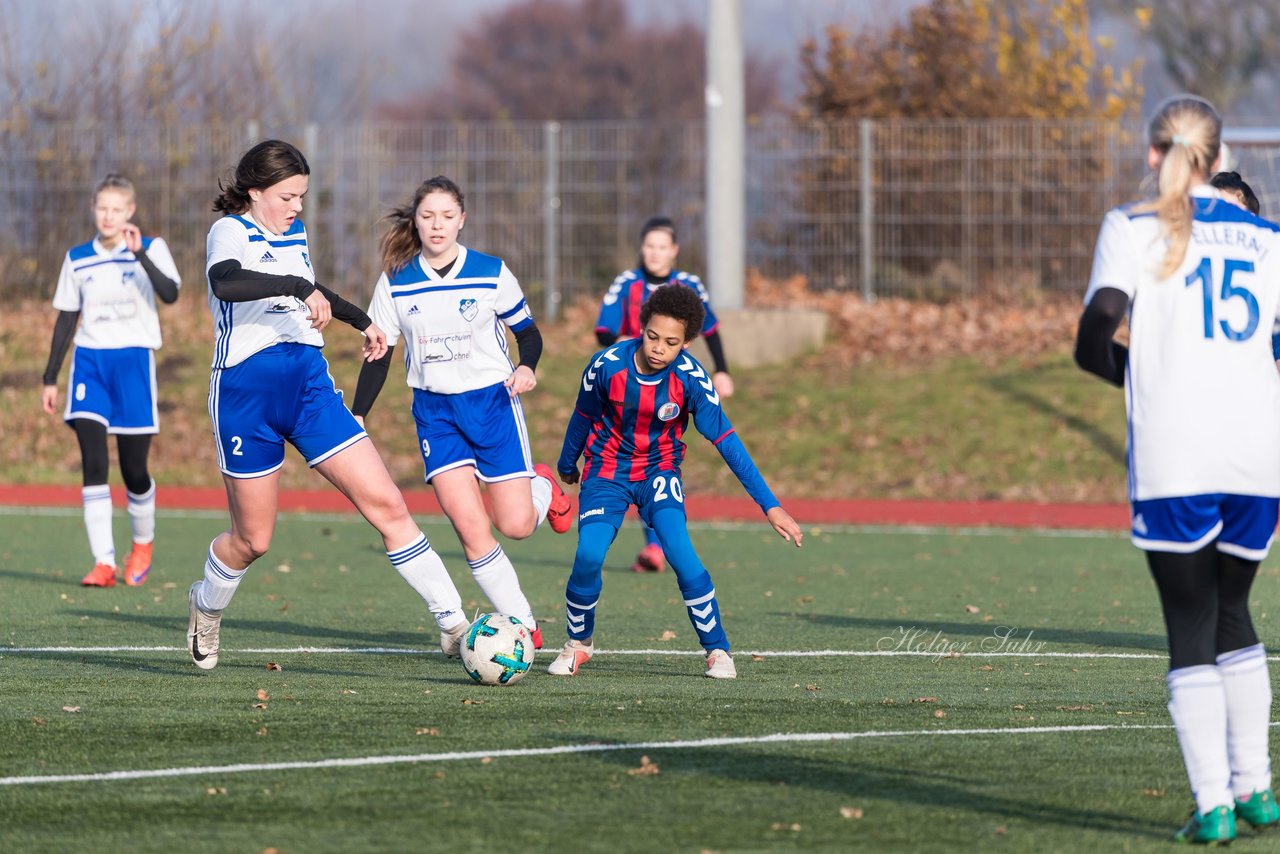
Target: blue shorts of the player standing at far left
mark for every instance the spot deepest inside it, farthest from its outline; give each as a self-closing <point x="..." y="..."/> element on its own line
<point x="115" y="387"/>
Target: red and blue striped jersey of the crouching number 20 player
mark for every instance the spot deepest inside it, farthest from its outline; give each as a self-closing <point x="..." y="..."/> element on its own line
<point x="629" y="426"/>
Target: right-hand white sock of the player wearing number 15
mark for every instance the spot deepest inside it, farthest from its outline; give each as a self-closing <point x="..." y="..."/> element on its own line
<point x="1249" y="719"/>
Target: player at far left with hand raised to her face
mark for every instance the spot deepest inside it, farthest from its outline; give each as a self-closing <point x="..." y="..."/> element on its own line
<point x="109" y="287"/>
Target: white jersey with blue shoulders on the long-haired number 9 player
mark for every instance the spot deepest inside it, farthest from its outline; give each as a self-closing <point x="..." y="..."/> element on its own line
<point x="454" y="327"/>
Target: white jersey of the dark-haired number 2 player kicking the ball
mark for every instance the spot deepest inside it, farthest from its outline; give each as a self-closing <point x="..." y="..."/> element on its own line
<point x="245" y="328"/>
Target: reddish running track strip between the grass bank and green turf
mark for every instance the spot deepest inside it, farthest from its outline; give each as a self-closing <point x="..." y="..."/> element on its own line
<point x="808" y="512"/>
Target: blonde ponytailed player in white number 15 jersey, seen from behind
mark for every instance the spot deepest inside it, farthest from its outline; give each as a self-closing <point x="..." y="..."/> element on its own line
<point x="1200" y="280"/>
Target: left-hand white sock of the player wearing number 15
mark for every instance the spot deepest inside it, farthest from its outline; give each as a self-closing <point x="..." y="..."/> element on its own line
<point x="1197" y="702"/>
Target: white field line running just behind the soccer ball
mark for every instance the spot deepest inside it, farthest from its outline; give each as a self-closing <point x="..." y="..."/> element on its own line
<point x="765" y="654"/>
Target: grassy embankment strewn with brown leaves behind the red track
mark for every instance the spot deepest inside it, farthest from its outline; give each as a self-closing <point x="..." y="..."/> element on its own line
<point x="907" y="401"/>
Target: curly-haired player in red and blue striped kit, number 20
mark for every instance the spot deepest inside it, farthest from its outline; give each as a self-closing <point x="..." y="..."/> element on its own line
<point x="633" y="408"/>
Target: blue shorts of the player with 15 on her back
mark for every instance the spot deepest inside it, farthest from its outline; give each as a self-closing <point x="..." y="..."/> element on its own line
<point x="1244" y="526"/>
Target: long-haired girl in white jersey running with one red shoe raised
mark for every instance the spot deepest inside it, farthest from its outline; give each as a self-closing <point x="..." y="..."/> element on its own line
<point x="452" y="307"/>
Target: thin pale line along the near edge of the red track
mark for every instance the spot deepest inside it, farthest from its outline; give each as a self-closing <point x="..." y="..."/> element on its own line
<point x="926" y="531"/>
